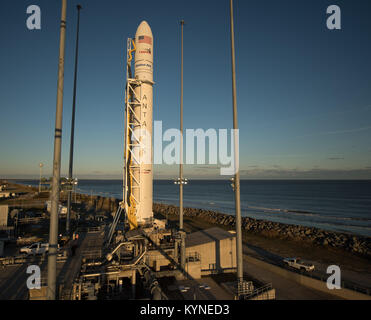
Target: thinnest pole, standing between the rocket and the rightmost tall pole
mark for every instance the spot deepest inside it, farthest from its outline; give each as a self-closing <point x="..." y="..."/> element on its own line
<point x="182" y="248"/>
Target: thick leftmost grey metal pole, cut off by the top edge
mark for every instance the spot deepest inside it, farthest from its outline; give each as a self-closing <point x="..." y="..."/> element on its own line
<point x="53" y="231"/>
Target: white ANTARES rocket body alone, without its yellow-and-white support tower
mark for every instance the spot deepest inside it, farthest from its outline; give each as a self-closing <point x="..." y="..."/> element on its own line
<point x="143" y="71"/>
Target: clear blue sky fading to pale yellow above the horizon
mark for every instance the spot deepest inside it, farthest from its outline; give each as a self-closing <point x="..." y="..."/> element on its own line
<point x="304" y="98"/>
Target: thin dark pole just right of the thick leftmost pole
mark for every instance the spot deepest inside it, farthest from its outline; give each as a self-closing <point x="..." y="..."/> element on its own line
<point x="73" y="123"/>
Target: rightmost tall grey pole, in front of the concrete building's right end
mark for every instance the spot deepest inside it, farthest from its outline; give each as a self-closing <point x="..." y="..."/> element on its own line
<point x="236" y="158"/>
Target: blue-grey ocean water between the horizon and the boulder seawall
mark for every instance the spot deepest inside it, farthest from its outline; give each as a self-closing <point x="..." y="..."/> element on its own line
<point x="343" y="206"/>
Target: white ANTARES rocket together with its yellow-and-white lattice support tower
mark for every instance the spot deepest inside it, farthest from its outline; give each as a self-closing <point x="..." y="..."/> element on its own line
<point x="138" y="174"/>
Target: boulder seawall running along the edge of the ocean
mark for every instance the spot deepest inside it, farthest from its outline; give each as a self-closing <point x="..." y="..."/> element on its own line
<point x="355" y="244"/>
